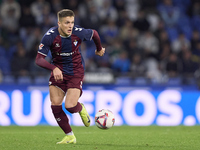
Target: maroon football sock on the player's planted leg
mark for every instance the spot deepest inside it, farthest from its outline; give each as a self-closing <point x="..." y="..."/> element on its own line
<point x="61" y="118"/>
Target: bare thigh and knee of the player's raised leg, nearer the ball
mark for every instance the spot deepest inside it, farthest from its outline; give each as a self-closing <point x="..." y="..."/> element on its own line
<point x="72" y="97"/>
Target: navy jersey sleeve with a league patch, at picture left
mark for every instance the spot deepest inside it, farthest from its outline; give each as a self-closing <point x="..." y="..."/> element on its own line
<point x="45" y="45"/>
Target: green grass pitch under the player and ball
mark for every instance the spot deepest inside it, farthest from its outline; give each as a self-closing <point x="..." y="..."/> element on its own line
<point x="92" y="138"/>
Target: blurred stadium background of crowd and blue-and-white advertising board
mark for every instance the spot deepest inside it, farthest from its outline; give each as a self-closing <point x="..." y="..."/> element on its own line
<point x="151" y="65"/>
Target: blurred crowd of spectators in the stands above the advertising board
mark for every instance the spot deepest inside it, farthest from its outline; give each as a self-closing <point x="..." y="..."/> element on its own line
<point x="151" y="39"/>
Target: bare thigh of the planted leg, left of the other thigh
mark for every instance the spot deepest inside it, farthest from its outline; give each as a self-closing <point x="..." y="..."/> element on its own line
<point x="56" y="95"/>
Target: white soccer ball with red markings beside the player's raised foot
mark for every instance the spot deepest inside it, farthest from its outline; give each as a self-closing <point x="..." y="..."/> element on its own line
<point x="104" y="119"/>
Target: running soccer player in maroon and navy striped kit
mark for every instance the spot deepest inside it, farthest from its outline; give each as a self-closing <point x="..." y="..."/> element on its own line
<point x="67" y="68"/>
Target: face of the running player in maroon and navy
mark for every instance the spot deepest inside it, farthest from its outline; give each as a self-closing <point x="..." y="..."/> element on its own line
<point x="66" y="25"/>
